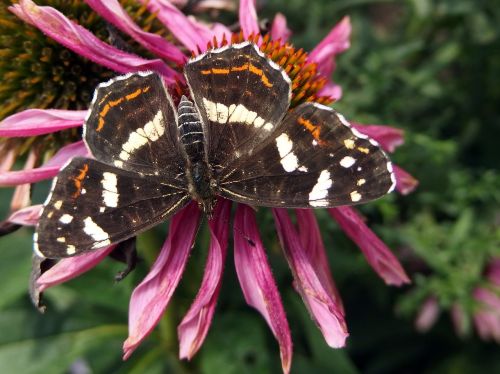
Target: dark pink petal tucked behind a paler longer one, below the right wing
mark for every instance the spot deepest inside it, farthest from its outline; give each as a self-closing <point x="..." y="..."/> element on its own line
<point x="310" y="238"/>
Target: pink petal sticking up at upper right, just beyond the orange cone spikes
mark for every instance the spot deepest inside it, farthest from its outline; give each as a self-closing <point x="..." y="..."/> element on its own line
<point x="335" y="42"/>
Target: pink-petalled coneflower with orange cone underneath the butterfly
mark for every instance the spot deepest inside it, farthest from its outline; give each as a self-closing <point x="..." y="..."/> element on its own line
<point x="301" y="243"/>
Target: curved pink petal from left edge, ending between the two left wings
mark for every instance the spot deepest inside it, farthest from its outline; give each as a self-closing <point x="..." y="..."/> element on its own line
<point x="46" y="171"/>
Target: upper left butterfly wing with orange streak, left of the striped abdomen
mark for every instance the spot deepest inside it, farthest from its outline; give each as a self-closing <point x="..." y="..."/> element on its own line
<point x="132" y="125"/>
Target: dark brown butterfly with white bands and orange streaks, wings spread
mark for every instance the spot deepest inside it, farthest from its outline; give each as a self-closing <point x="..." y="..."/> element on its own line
<point x="235" y="137"/>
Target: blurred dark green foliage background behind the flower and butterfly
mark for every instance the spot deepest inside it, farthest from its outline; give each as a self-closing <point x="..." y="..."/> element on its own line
<point x="430" y="67"/>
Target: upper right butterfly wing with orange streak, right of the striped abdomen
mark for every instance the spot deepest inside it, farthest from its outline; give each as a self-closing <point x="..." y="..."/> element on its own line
<point x="242" y="97"/>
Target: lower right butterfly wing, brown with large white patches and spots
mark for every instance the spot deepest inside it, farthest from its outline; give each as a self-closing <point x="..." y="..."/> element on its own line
<point x="315" y="159"/>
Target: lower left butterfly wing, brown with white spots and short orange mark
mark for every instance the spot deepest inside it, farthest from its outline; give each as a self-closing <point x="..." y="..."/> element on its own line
<point x="93" y="204"/>
